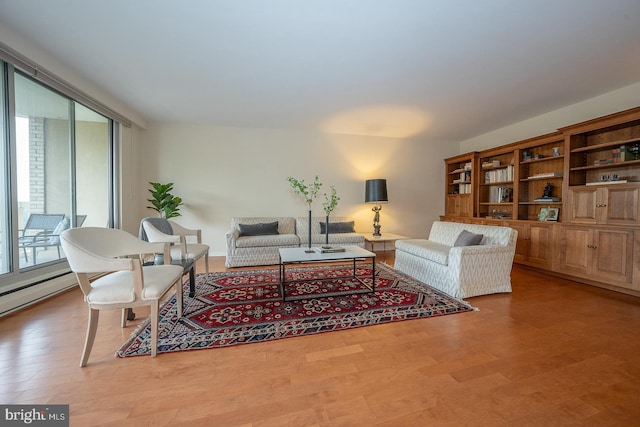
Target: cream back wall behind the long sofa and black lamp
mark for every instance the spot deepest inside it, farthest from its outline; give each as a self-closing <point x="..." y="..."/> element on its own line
<point x="222" y="172"/>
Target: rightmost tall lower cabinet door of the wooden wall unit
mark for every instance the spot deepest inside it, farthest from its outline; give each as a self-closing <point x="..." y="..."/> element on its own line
<point x="613" y="256"/>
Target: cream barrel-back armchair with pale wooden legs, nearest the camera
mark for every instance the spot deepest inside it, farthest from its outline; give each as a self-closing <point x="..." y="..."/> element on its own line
<point x="109" y="268"/>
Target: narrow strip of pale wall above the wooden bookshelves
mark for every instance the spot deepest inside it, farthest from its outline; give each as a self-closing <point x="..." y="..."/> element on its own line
<point x="609" y="103"/>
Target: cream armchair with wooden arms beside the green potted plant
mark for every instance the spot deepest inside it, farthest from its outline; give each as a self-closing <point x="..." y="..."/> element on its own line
<point x="156" y="230"/>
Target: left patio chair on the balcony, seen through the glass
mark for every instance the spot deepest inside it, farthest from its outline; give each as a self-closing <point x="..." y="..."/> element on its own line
<point x="38" y="231"/>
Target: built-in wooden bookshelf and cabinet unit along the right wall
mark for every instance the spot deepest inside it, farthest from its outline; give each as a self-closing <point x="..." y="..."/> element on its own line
<point x="573" y="195"/>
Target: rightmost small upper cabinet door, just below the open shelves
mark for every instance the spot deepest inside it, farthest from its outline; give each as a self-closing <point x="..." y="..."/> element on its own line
<point x="620" y="205"/>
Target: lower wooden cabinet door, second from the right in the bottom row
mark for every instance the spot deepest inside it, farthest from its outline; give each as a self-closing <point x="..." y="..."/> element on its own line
<point x="576" y="250"/>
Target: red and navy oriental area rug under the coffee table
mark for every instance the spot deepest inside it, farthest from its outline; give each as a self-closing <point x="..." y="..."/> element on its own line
<point x="241" y="307"/>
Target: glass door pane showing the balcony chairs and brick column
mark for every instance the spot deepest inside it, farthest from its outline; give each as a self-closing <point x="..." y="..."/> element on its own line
<point x="43" y="154"/>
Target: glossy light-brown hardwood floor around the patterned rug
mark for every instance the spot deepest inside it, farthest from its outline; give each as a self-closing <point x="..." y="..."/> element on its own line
<point x="554" y="352"/>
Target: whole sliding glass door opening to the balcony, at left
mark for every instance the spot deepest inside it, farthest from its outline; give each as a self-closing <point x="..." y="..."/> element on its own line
<point x="57" y="172"/>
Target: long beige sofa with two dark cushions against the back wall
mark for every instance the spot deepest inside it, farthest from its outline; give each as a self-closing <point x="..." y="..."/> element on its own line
<point x="292" y="233"/>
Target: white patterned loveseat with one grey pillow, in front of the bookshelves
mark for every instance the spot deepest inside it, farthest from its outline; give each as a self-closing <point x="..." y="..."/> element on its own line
<point x="460" y="271"/>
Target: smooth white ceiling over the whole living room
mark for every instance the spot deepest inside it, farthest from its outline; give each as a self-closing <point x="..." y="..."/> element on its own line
<point x="431" y="69"/>
